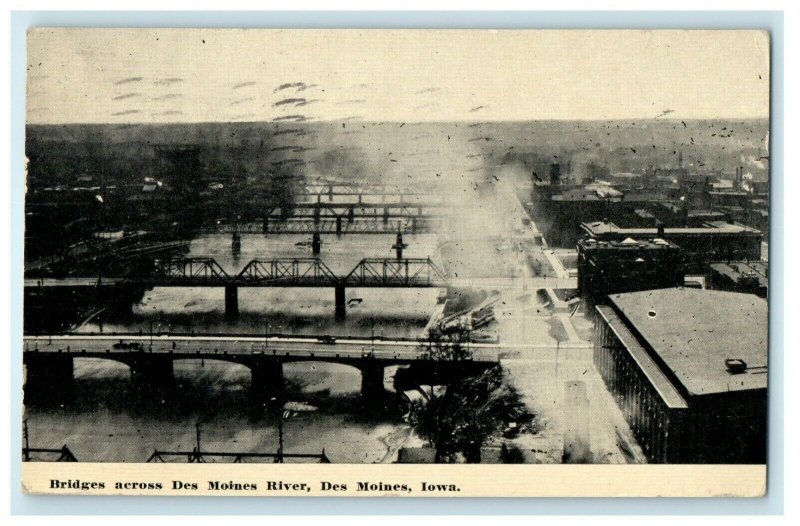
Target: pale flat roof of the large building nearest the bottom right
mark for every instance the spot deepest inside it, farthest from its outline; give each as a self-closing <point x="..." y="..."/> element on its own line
<point x="694" y="332"/>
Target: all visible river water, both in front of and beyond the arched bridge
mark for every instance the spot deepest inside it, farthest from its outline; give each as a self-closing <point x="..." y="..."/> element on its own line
<point x="101" y="423"/>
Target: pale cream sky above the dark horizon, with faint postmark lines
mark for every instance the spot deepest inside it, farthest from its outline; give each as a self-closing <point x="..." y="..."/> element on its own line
<point x="217" y="75"/>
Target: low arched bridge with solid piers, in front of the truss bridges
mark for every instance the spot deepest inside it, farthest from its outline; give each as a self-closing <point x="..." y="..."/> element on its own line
<point x="49" y="360"/>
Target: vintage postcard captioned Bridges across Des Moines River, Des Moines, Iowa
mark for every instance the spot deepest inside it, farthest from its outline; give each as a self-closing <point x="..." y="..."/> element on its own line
<point x="439" y="263"/>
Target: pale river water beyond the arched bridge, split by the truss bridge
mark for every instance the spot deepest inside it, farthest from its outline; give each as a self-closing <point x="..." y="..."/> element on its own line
<point x="310" y="311"/>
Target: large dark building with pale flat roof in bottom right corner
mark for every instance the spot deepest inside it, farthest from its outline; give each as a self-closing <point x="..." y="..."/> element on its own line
<point x="689" y="370"/>
